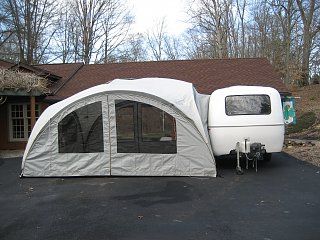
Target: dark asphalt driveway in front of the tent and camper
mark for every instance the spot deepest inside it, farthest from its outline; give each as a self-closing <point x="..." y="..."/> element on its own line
<point x="281" y="201"/>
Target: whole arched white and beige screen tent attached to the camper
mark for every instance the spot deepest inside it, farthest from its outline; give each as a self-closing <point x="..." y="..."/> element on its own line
<point x="153" y="127"/>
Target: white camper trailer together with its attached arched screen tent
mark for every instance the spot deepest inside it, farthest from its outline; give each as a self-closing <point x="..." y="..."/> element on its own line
<point x="153" y="127"/>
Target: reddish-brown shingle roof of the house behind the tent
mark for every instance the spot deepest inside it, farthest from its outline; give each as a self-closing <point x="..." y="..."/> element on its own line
<point x="206" y="75"/>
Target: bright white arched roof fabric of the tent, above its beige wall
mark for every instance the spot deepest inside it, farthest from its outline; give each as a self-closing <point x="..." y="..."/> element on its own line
<point x="179" y="93"/>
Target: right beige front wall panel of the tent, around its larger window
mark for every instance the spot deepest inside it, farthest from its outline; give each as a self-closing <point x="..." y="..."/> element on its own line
<point x="193" y="157"/>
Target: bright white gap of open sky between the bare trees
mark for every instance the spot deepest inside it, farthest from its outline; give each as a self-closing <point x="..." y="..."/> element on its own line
<point x="150" y="12"/>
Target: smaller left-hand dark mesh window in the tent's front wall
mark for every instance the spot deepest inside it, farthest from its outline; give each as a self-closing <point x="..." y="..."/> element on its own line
<point x="81" y="131"/>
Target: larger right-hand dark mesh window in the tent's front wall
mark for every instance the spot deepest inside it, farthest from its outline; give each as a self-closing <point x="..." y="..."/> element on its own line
<point x="142" y="128"/>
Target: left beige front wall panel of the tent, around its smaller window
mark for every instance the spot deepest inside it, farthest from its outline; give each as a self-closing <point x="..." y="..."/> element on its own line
<point x="44" y="158"/>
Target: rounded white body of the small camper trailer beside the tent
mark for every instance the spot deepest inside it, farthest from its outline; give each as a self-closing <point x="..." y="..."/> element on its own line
<point x="245" y="115"/>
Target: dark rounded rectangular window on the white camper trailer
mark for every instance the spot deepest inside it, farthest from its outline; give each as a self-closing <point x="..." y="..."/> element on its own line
<point x="248" y="105"/>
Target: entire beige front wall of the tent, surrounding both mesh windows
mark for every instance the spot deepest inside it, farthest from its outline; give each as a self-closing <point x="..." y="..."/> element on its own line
<point x="193" y="157"/>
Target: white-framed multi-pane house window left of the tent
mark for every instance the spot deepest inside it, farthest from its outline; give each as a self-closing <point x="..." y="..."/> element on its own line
<point x="20" y="121"/>
